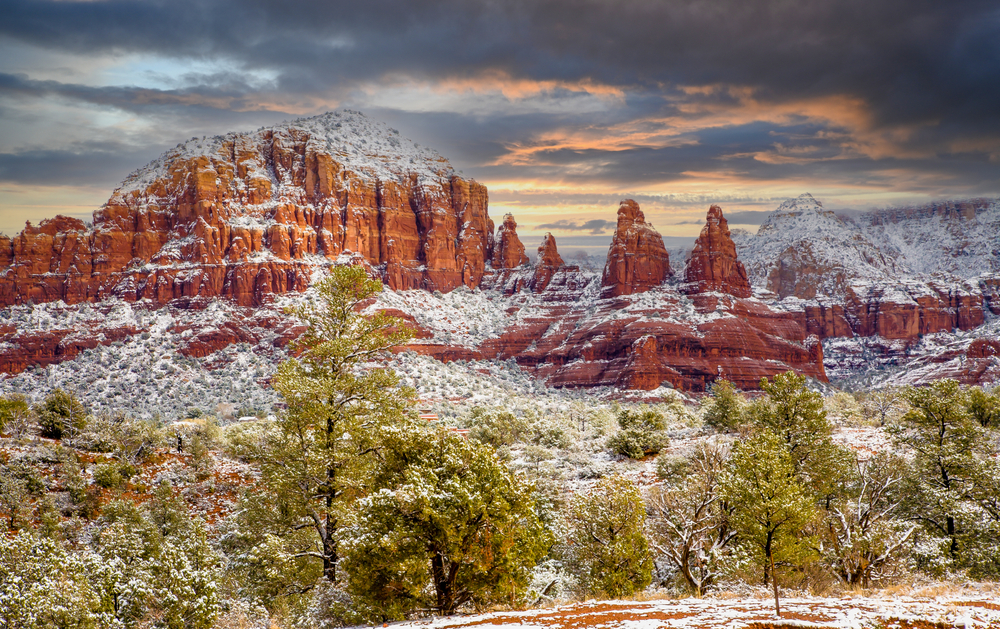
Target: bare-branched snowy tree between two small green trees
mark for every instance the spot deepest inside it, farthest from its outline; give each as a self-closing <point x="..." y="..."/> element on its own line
<point x="688" y="521"/>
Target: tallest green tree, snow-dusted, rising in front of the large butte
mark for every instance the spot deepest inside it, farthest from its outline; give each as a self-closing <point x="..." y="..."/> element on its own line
<point x="318" y="458"/>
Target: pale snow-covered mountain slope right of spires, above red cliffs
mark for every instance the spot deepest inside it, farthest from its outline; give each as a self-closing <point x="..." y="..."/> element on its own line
<point x="805" y="250"/>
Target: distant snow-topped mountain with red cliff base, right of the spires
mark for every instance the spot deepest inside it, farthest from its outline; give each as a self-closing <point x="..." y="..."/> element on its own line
<point x="848" y="283"/>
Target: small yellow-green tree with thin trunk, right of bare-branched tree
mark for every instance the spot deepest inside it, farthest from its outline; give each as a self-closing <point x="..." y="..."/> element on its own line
<point x="771" y="507"/>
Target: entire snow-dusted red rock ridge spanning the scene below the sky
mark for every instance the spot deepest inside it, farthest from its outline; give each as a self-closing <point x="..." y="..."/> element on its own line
<point x="253" y="217"/>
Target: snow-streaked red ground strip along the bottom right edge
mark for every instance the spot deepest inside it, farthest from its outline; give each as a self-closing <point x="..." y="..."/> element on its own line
<point x="852" y="612"/>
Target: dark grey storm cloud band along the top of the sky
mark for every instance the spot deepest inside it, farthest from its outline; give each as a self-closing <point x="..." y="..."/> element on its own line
<point x="913" y="61"/>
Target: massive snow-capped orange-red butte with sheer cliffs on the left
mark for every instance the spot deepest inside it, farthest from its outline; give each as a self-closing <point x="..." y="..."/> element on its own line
<point x="247" y="215"/>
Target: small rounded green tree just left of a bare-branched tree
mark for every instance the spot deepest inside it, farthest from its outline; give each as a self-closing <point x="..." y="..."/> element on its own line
<point x="608" y="541"/>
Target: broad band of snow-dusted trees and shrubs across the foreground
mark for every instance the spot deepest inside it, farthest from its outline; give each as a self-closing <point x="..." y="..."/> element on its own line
<point x="347" y="508"/>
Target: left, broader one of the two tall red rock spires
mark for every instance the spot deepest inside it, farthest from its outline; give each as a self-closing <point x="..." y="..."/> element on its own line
<point x="637" y="259"/>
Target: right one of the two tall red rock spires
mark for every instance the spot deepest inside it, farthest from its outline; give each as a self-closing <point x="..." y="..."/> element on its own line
<point x="713" y="265"/>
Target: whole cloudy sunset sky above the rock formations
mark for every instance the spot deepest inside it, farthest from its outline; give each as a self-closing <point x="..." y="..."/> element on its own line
<point x="560" y="107"/>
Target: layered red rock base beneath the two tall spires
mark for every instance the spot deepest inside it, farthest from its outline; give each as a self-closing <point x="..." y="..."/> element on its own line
<point x="578" y="342"/>
